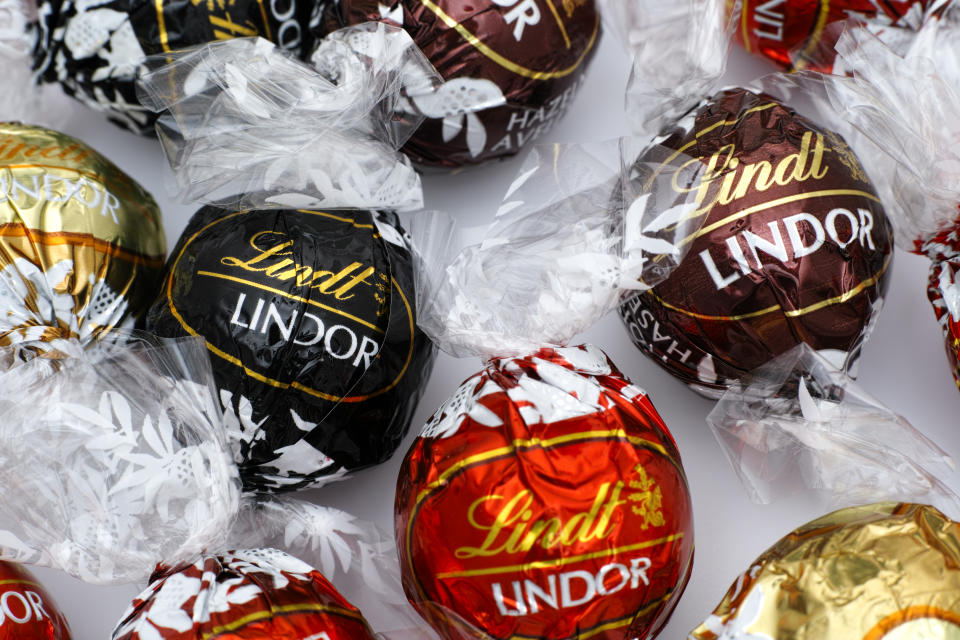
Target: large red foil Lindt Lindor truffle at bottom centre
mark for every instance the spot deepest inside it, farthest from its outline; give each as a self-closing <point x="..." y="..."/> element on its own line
<point x="545" y="499"/>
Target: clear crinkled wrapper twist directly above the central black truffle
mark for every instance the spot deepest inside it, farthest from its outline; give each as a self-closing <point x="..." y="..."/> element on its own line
<point x="276" y="132"/>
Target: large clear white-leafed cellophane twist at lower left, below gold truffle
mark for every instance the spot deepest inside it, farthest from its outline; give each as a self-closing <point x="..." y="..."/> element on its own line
<point x="116" y="461"/>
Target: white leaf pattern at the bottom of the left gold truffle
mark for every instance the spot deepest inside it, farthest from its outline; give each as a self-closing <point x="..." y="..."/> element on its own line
<point x="30" y="304"/>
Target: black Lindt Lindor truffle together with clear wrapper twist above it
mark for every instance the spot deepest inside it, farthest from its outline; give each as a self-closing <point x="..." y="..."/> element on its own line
<point x="298" y="275"/>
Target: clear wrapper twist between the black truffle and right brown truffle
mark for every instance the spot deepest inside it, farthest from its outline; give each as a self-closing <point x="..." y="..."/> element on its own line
<point x="569" y="241"/>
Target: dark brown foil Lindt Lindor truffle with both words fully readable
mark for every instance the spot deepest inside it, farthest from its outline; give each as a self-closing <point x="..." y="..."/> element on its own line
<point x="794" y="246"/>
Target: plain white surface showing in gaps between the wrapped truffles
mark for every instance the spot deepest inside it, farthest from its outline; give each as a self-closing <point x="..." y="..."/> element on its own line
<point x="903" y="364"/>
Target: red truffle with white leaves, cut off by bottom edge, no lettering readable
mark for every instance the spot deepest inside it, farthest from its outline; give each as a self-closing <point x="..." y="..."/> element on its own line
<point x="257" y="594"/>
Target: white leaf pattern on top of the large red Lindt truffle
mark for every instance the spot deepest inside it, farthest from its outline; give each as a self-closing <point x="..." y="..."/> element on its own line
<point x="542" y="390"/>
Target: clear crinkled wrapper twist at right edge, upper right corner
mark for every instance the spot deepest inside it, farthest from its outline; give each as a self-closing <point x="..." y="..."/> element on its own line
<point x="908" y="104"/>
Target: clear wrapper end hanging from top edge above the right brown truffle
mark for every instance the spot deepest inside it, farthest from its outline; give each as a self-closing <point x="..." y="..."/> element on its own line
<point x="679" y="52"/>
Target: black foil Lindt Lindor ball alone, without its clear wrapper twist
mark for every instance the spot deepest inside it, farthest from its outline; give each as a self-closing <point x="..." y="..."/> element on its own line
<point x="310" y="322"/>
